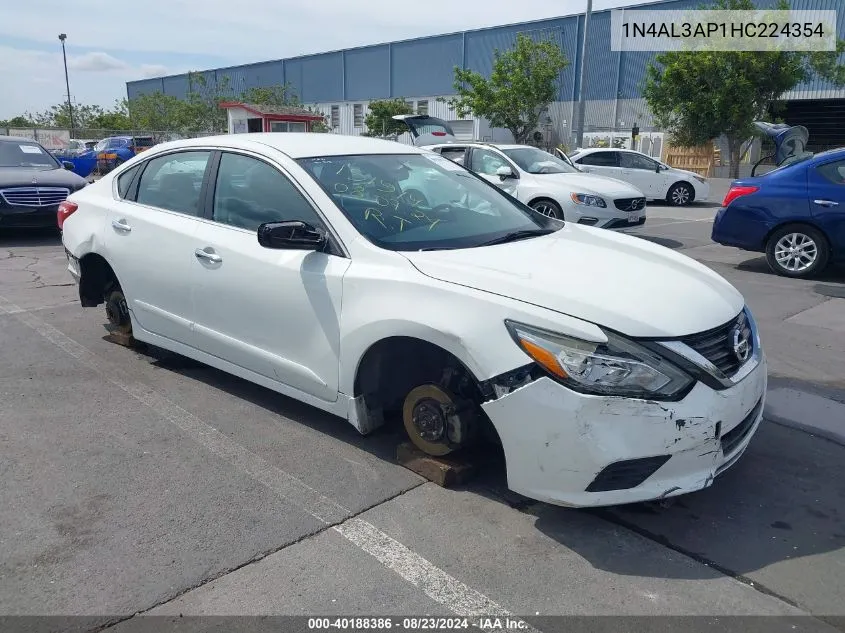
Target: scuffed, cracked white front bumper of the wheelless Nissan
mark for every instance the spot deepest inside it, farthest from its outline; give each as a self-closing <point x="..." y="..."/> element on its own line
<point x="571" y="449"/>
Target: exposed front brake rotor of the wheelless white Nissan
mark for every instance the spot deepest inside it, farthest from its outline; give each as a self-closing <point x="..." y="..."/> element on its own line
<point x="425" y="419"/>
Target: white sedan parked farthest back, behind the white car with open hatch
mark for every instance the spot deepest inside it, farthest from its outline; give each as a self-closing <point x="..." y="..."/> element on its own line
<point x="657" y="180"/>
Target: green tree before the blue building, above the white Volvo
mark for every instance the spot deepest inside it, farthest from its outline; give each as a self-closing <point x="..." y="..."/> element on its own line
<point x="523" y="83"/>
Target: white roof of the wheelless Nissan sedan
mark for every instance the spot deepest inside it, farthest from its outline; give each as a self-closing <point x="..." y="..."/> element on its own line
<point x="299" y="144"/>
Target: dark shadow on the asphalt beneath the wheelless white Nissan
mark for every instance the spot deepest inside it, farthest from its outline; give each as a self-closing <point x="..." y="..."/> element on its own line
<point x="739" y="525"/>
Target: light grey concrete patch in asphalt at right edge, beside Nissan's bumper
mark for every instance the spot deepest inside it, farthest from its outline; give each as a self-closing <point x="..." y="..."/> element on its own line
<point x="806" y="412"/>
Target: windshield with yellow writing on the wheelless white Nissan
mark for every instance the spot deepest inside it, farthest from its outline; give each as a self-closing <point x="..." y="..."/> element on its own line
<point x="410" y="202"/>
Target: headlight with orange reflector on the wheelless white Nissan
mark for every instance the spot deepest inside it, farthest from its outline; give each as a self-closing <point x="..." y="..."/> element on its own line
<point x="619" y="367"/>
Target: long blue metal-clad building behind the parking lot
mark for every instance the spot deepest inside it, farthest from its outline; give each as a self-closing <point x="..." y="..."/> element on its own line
<point x="341" y="83"/>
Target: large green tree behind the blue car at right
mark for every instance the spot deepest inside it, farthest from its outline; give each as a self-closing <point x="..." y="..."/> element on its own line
<point x="699" y="95"/>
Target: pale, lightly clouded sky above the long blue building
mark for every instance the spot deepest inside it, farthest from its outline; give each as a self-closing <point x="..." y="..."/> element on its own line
<point x="110" y="42"/>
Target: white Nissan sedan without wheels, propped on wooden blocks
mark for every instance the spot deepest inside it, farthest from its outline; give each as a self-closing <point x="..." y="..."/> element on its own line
<point x="610" y="369"/>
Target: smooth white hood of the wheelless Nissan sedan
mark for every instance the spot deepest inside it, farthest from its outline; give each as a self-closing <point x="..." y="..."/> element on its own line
<point x="617" y="281"/>
